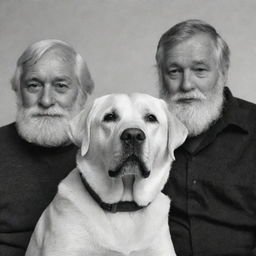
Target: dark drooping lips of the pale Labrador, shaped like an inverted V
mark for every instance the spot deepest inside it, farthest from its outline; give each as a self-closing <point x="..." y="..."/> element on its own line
<point x="132" y="158"/>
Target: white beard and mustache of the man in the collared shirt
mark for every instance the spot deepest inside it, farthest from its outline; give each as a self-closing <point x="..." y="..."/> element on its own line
<point x="199" y="115"/>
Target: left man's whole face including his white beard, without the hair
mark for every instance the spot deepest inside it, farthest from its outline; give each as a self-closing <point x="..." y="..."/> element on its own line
<point x="48" y="98"/>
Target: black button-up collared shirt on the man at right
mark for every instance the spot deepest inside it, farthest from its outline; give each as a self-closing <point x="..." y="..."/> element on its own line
<point x="212" y="185"/>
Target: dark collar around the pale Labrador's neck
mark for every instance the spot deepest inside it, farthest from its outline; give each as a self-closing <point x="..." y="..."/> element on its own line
<point x="122" y="206"/>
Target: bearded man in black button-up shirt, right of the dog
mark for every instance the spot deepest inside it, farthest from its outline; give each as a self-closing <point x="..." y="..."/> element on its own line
<point x="213" y="181"/>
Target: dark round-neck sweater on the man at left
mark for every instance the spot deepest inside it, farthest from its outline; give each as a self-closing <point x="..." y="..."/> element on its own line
<point x="29" y="176"/>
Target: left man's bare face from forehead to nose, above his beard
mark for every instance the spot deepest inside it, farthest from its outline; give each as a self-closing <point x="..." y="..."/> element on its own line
<point x="50" y="81"/>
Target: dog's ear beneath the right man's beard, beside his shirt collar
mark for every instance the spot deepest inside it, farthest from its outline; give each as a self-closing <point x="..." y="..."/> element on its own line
<point x="177" y="133"/>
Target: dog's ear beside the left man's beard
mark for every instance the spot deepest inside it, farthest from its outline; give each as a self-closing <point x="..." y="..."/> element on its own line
<point x="79" y="128"/>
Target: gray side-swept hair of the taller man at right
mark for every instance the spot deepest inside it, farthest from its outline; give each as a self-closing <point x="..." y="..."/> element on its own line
<point x="187" y="29"/>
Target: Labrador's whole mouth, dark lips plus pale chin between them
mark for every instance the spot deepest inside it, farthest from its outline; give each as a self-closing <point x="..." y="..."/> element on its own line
<point x="132" y="165"/>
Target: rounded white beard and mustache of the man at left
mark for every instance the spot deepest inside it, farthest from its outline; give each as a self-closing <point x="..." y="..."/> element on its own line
<point x="46" y="127"/>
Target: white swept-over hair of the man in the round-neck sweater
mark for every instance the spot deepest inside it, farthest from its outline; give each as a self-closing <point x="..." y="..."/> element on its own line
<point x="37" y="50"/>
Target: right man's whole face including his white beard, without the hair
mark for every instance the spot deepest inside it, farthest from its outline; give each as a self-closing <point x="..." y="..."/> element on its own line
<point x="194" y="83"/>
